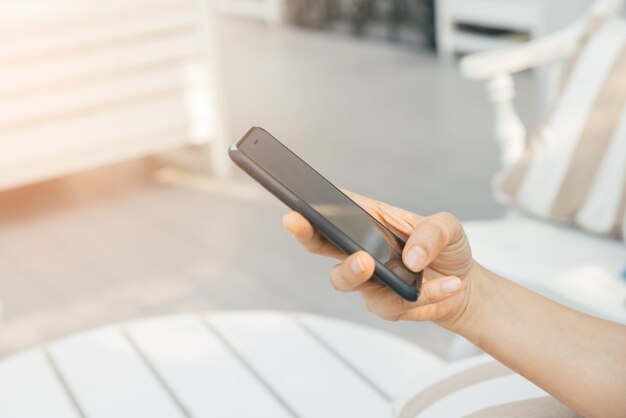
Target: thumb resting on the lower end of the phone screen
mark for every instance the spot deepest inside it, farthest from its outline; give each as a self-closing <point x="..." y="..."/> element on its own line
<point x="431" y="235"/>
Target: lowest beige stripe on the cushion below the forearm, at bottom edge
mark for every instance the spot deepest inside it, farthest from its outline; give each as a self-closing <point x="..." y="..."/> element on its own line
<point x="537" y="408"/>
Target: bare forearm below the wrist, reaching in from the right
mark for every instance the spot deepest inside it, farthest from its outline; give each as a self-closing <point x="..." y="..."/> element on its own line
<point x="579" y="359"/>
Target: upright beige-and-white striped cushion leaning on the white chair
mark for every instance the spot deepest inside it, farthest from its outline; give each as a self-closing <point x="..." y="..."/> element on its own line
<point x="575" y="167"/>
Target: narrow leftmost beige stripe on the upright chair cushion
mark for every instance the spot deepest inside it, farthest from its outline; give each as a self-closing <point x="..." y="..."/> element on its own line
<point x="511" y="183"/>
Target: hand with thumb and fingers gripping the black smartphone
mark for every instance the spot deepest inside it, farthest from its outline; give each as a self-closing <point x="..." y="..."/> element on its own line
<point x="436" y="244"/>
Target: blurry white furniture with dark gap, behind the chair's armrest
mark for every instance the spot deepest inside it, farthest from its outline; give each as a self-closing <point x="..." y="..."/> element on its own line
<point x="465" y="26"/>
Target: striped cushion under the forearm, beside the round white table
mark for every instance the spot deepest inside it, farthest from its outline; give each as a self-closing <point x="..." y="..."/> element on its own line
<point x="480" y="387"/>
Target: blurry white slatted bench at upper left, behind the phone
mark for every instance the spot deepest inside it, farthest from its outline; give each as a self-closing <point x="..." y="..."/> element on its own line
<point x="90" y="83"/>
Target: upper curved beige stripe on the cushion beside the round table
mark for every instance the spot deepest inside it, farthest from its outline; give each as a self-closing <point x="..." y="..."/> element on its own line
<point x="465" y="378"/>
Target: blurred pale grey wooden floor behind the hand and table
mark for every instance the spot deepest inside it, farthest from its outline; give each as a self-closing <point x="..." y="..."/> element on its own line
<point x="142" y="239"/>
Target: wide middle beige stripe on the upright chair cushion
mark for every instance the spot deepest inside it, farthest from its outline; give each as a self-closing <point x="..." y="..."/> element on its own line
<point x="594" y="141"/>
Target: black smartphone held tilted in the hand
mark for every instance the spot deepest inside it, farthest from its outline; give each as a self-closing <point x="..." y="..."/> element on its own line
<point x="330" y="211"/>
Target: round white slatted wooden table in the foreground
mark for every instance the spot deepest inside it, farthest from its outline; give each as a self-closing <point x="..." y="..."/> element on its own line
<point x="223" y="364"/>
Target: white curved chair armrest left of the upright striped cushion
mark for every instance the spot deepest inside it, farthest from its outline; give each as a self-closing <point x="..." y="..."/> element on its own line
<point x="489" y="64"/>
